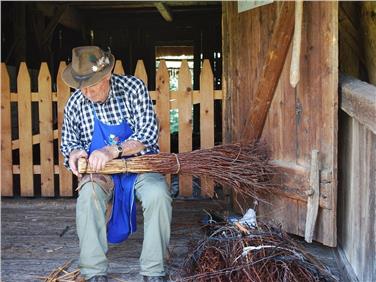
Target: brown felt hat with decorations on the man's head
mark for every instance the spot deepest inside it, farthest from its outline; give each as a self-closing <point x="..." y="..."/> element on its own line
<point x="90" y="64"/>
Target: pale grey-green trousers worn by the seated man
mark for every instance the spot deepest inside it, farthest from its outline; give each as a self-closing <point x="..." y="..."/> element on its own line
<point x="152" y="190"/>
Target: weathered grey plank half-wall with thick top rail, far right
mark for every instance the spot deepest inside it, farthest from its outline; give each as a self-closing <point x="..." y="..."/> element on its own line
<point x="357" y="178"/>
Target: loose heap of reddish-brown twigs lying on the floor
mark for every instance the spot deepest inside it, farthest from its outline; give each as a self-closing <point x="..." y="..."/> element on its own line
<point x="265" y="254"/>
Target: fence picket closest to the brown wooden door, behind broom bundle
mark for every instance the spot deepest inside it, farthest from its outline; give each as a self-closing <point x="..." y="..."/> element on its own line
<point x="207" y="118"/>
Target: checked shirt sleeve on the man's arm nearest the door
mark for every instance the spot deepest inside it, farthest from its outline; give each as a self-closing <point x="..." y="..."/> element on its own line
<point x="146" y="127"/>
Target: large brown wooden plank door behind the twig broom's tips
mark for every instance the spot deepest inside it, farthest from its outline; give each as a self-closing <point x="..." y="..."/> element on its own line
<point x="299" y="120"/>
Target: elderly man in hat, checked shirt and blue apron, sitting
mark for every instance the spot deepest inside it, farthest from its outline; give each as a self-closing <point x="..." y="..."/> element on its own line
<point x="108" y="117"/>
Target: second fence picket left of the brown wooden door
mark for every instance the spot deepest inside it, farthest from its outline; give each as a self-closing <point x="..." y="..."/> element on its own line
<point x="184" y="99"/>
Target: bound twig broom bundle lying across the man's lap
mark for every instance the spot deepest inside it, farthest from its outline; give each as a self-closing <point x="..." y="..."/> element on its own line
<point x="239" y="166"/>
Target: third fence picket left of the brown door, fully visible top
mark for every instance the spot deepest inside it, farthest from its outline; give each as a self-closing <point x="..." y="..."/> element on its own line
<point x="163" y="106"/>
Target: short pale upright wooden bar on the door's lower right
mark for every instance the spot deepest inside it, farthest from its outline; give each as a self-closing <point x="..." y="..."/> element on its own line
<point x="313" y="196"/>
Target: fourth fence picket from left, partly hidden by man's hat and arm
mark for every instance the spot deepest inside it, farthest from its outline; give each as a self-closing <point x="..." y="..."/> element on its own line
<point x="63" y="92"/>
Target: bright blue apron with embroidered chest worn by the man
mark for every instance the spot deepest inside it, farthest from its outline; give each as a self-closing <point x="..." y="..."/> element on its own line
<point x="123" y="217"/>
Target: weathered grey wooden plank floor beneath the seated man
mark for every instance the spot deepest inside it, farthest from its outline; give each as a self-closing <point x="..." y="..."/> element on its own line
<point x="39" y="235"/>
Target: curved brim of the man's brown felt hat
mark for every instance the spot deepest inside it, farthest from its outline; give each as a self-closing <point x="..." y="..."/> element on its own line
<point x="95" y="78"/>
